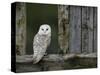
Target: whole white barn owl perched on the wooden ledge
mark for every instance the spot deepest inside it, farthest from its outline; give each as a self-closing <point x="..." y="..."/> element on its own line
<point x="40" y="42"/>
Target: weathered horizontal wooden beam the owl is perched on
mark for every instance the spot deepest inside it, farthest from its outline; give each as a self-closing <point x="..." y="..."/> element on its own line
<point x="54" y="57"/>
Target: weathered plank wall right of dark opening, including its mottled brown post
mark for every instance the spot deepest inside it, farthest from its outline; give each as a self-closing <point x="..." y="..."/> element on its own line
<point x="77" y="29"/>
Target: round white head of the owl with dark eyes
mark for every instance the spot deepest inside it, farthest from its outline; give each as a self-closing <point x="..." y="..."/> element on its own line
<point x="44" y="29"/>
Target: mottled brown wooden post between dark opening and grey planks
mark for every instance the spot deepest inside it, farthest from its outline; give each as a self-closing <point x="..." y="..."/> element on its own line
<point x="63" y="27"/>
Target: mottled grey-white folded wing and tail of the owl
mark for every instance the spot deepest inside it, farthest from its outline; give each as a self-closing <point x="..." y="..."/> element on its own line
<point x="38" y="48"/>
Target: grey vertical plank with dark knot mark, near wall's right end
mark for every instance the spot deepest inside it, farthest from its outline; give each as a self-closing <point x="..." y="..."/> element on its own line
<point x="87" y="29"/>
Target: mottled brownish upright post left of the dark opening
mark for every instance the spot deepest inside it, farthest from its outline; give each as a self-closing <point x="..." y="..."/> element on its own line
<point x="20" y="28"/>
